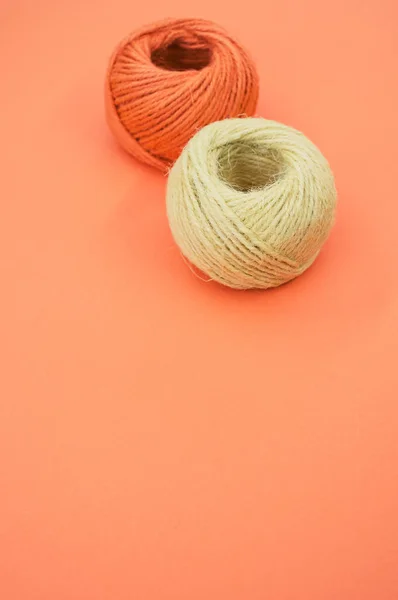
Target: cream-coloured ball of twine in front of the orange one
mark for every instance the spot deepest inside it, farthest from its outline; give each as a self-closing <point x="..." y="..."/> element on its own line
<point x="250" y="202"/>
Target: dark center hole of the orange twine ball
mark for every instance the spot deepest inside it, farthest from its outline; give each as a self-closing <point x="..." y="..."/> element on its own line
<point x="182" y="55"/>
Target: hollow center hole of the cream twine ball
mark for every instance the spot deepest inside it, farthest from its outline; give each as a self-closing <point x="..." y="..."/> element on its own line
<point x="245" y="167"/>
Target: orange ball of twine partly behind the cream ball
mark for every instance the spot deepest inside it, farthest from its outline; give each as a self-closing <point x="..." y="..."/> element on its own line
<point x="169" y="79"/>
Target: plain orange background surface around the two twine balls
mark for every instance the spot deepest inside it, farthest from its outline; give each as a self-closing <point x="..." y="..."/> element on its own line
<point x="166" y="439"/>
